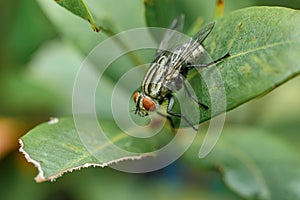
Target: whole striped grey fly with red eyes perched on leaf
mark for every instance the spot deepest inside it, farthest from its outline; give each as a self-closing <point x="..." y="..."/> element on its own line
<point x="167" y="72"/>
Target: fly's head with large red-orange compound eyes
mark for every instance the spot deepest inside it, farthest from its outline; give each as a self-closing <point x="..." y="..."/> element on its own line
<point x="144" y="104"/>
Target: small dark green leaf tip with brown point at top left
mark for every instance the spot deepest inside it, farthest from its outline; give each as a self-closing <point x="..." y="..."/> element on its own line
<point x="79" y="7"/>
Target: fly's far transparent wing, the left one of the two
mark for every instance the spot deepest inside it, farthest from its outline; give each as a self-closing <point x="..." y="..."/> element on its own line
<point x="171" y="37"/>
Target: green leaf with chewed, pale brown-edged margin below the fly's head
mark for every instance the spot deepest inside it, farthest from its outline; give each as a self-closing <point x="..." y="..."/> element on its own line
<point x="58" y="146"/>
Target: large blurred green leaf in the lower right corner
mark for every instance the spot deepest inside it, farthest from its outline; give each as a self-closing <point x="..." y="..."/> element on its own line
<point x="254" y="163"/>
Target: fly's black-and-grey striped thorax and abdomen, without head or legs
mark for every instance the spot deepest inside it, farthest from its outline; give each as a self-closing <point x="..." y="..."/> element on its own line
<point x="163" y="75"/>
